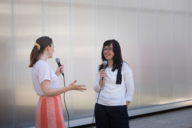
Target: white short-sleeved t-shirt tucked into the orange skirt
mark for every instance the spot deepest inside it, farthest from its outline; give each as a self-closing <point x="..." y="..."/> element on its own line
<point x="40" y="72"/>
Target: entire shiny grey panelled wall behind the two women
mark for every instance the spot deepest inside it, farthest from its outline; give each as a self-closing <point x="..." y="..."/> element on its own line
<point x="155" y="37"/>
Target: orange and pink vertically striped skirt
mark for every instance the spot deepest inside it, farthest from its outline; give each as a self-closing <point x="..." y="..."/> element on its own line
<point x="49" y="112"/>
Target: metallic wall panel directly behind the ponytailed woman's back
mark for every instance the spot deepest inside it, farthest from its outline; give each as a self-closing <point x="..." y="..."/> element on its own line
<point x="27" y="27"/>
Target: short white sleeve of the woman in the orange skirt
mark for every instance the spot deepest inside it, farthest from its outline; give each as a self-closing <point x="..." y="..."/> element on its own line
<point x="44" y="73"/>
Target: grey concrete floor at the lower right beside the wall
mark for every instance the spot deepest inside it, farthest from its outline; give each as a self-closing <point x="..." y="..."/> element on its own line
<point x="180" y="118"/>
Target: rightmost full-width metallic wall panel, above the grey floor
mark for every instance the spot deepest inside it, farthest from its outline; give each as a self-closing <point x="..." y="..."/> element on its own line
<point x="181" y="50"/>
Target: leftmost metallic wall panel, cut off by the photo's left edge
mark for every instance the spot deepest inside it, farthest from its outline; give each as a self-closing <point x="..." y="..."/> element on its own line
<point x="6" y="70"/>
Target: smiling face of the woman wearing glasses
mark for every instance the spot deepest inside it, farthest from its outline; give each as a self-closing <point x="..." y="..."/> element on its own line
<point x="108" y="52"/>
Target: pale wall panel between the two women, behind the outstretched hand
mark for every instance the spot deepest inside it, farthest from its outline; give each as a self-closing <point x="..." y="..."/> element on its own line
<point x="83" y="57"/>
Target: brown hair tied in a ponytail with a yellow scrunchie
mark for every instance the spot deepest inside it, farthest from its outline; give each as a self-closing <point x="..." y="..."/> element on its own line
<point x="35" y="53"/>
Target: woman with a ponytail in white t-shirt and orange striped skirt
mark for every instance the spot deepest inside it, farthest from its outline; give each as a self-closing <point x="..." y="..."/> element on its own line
<point x="49" y="112"/>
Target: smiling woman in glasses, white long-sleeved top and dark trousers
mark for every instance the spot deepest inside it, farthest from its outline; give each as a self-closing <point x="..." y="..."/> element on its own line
<point x="117" y="91"/>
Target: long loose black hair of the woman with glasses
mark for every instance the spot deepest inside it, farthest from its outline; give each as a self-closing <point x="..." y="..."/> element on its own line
<point x="117" y="59"/>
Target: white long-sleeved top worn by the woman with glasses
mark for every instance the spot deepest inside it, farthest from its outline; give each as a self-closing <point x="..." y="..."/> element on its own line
<point x="113" y="94"/>
